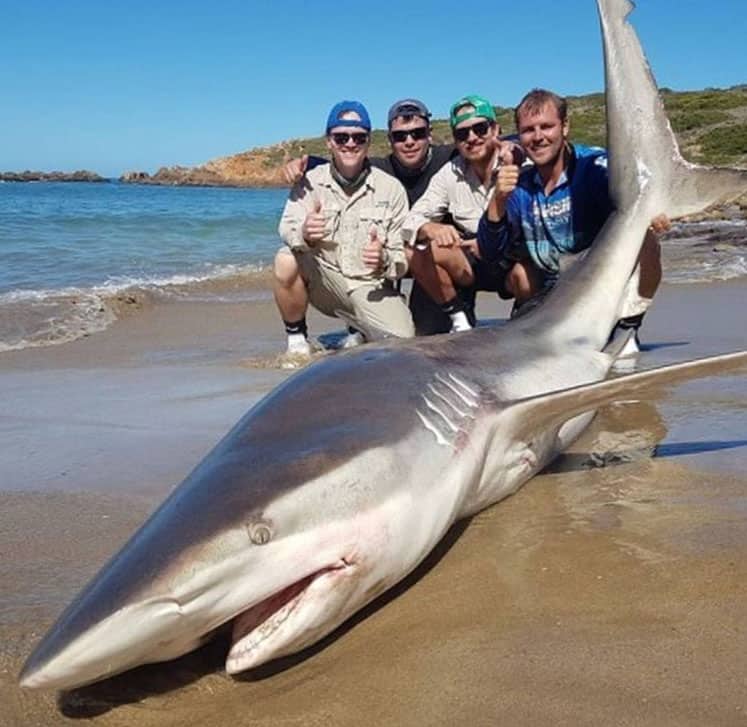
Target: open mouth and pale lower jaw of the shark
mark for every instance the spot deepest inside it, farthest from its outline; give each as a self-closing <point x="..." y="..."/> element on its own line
<point x="279" y="625"/>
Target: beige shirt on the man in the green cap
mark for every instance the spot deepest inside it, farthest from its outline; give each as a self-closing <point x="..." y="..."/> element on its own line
<point x="455" y="189"/>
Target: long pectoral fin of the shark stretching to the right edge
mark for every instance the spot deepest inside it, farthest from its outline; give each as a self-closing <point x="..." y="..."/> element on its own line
<point x="557" y="407"/>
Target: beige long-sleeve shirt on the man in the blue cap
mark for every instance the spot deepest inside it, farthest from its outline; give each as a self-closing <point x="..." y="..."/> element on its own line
<point x="380" y="203"/>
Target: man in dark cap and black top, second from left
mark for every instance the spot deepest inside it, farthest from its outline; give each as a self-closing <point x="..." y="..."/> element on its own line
<point x="413" y="161"/>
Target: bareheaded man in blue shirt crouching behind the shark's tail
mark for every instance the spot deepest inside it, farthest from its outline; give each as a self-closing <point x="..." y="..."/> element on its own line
<point x="554" y="208"/>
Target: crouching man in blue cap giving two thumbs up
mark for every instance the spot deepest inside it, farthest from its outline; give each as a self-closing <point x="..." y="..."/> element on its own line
<point x="341" y="226"/>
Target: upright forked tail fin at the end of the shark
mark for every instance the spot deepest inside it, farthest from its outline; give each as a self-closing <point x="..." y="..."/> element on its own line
<point x="639" y="136"/>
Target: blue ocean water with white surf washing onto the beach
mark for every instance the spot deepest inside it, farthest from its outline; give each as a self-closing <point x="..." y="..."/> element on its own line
<point x="74" y="255"/>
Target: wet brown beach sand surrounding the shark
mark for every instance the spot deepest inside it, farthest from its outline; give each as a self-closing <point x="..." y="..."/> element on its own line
<point x="611" y="589"/>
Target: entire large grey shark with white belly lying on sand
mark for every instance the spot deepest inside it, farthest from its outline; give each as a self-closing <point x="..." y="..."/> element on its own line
<point x="341" y="481"/>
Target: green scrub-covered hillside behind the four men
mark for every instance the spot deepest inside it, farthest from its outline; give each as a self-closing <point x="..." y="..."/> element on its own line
<point x="710" y="126"/>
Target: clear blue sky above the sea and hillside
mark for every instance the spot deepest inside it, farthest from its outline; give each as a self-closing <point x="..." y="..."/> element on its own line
<point x="113" y="86"/>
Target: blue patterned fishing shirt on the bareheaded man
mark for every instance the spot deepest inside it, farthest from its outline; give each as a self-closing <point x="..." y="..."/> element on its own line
<point x="544" y="227"/>
